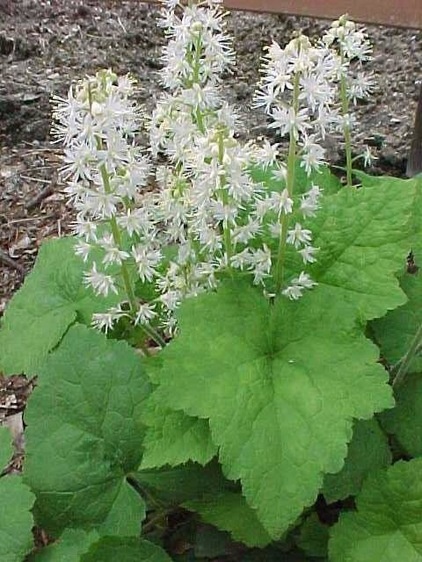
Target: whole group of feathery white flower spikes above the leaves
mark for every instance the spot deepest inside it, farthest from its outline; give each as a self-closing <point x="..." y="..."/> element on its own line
<point x="208" y="216"/>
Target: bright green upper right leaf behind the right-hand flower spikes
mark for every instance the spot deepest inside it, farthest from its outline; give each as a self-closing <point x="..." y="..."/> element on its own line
<point x="364" y="236"/>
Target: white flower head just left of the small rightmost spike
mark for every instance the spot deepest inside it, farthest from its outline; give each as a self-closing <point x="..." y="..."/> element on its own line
<point x="298" y="92"/>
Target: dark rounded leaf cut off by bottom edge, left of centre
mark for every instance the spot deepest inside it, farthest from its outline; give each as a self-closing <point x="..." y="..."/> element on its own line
<point x="124" y="549"/>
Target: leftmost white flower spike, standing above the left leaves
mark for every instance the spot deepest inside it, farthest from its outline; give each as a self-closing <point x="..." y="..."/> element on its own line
<point x="105" y="171"/>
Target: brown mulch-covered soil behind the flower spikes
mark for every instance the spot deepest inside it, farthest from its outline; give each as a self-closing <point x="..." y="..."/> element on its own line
<point x="46" y="44"/>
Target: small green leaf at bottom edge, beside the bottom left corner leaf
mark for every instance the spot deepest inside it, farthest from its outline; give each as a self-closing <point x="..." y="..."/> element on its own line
<point x="69" y="548"/>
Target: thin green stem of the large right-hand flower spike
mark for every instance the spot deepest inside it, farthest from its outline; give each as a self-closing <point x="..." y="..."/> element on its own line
<point x="290" y="181"/>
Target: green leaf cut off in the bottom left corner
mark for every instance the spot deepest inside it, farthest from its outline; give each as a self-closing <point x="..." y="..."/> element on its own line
<point x="16" y="521"/>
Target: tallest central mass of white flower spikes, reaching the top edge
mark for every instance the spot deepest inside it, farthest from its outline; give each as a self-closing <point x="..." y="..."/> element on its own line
<point x="208" y="204"/>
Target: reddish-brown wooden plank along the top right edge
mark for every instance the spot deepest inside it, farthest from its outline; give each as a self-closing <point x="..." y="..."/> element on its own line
<point x="396" y="13"/>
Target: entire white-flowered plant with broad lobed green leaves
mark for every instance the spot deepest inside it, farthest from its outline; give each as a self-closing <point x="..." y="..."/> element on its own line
<point x="257" y="294"/>
